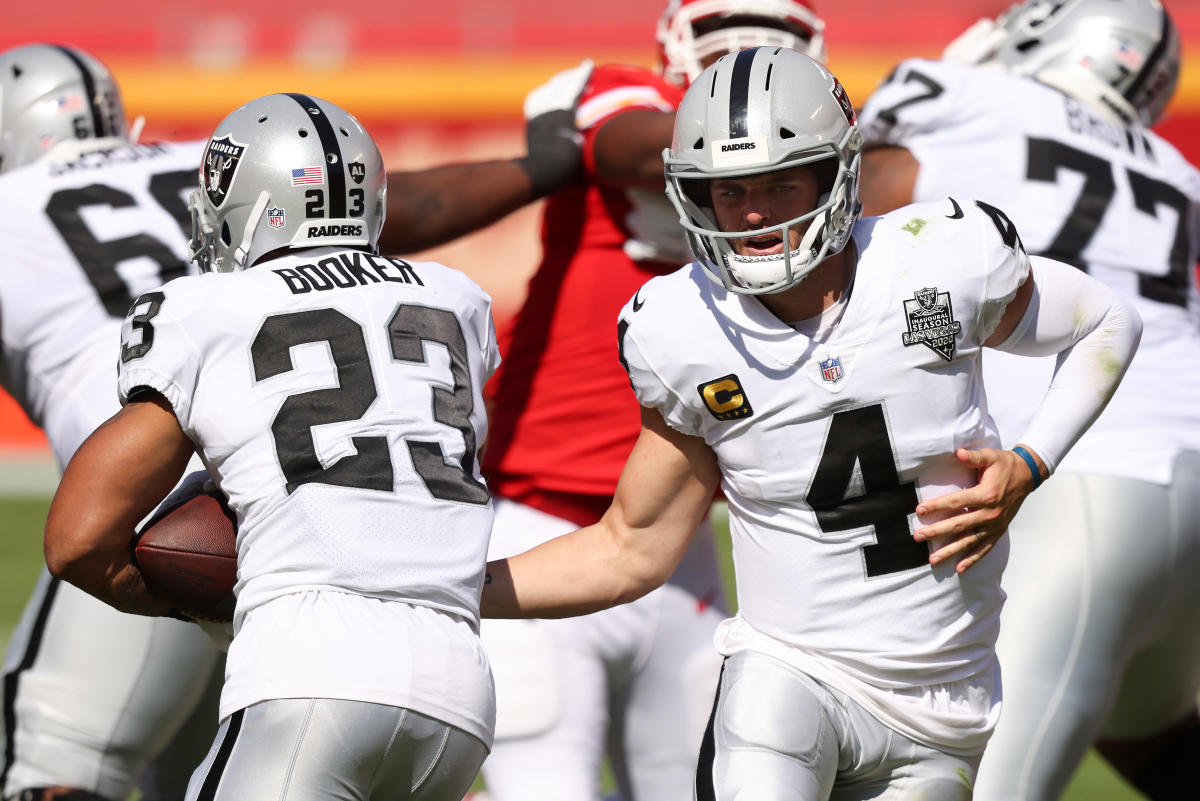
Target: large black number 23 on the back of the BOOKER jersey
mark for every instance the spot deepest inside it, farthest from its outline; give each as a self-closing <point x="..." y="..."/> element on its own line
<point x="371" y="468"/>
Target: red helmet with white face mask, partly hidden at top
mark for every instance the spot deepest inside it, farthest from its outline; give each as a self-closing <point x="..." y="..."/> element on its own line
<point x="691" y="32"/>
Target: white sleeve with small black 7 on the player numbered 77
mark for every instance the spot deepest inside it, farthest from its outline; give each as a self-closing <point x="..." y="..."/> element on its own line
<point x="920" y="98"/>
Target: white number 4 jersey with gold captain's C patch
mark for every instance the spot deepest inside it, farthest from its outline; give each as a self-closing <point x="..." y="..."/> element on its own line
<point x="826" y="449"/>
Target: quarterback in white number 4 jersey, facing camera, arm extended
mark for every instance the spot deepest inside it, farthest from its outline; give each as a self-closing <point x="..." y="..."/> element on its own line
<point x="826" y="375"/>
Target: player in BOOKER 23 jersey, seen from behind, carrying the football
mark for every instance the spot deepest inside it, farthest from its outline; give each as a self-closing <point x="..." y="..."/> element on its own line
<point x="296" y="366"/>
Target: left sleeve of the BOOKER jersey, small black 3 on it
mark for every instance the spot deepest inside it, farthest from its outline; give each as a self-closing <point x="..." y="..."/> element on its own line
<point x="159" y="353"/>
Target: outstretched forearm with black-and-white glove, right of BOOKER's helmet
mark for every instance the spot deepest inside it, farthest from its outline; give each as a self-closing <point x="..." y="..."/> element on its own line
<point x="433" y="207"/>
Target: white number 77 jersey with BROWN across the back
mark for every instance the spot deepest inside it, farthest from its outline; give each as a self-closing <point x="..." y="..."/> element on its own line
<point x="1118" y="202"/>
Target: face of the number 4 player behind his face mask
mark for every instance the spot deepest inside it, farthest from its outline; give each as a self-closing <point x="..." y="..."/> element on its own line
<point x="753" y="202"/>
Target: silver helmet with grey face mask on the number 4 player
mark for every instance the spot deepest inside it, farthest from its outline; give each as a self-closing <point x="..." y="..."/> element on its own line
<point x="761" y="111"/>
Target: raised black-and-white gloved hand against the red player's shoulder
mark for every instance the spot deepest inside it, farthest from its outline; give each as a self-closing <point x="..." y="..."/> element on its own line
<point x="555" y="148"/>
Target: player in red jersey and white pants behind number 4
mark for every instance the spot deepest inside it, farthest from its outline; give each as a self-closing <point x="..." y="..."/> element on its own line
<point x="637" y="682"/>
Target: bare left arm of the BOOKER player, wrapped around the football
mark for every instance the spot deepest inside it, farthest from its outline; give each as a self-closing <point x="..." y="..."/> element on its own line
<point x="115" y="480"/>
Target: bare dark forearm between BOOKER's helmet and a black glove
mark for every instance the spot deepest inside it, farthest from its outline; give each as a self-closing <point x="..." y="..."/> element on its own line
<point x="434" y="207"/>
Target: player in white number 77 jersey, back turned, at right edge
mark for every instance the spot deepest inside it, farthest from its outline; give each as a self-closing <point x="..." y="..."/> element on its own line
<point x="1045" y="112"/>
